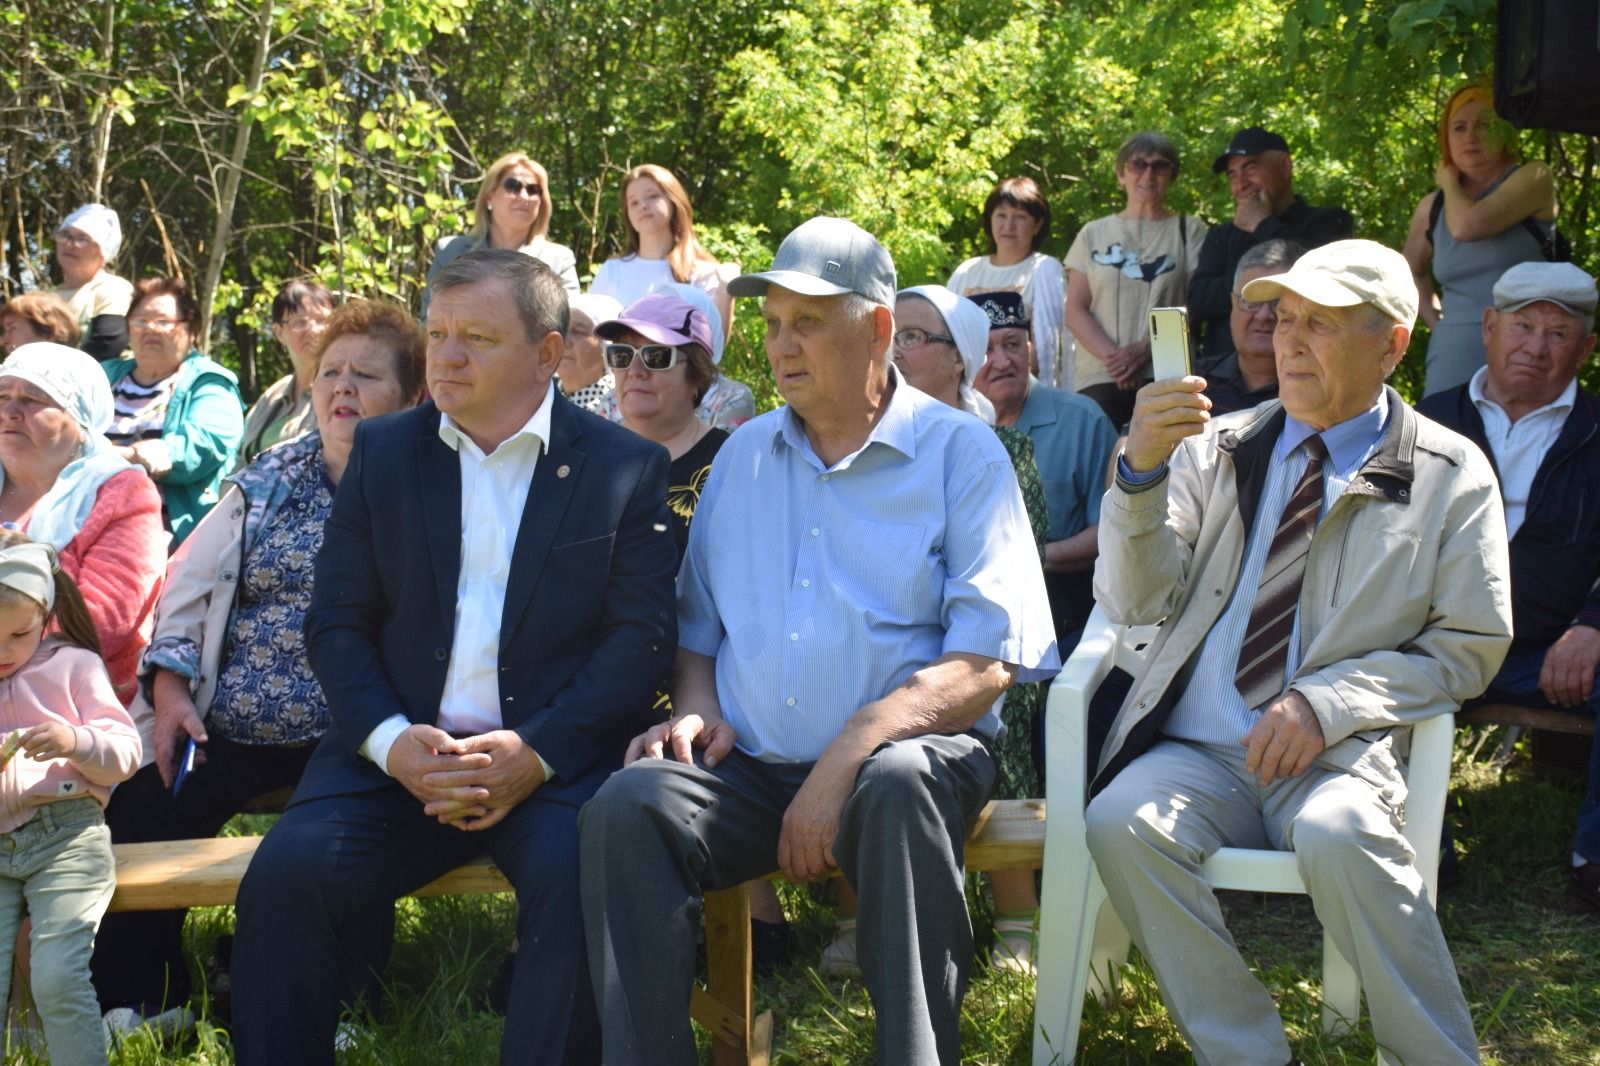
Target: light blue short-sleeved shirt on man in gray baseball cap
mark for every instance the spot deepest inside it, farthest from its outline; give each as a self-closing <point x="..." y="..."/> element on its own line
<point x="823" y="588"/>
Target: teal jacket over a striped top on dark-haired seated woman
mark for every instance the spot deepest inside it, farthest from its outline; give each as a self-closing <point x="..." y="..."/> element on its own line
<point x="206" y="423"/>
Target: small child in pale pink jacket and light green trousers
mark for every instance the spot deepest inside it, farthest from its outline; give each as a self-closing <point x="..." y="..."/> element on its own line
<point x="66" y="743"/>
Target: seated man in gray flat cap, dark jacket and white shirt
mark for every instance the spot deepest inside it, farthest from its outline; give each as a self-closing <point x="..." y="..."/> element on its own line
<point x="1543" y="436"/>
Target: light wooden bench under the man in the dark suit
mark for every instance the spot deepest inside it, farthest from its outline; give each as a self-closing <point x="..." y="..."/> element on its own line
<point x="1009" y="835"/>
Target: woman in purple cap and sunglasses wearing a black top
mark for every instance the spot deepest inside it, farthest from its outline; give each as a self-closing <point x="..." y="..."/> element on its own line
<point x="660" y="353"/>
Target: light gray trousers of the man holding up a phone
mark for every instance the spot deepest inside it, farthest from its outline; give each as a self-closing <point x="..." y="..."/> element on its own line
<point x="1175" y="806"/>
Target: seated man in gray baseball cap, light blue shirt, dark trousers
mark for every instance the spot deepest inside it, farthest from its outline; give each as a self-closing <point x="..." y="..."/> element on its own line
<point x="862" y="585"/>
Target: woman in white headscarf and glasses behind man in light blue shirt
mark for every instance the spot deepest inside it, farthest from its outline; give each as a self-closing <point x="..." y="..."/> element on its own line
<point x="940" y="343"/>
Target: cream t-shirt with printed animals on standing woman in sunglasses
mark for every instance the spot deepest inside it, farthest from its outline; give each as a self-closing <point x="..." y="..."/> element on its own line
<point x="1132" y="266"/>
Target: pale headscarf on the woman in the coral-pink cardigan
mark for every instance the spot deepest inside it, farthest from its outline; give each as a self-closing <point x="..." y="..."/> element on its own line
<point x="78" y="383"/>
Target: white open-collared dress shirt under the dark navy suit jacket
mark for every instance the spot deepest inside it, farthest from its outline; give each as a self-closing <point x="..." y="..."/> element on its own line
<point x="494" y="494"/>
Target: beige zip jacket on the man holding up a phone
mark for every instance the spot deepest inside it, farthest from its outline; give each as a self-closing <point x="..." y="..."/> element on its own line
<point x="1406" y="606"/>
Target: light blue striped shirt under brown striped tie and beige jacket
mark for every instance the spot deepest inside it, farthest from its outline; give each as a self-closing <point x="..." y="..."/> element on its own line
<point x="1210" y="708"/>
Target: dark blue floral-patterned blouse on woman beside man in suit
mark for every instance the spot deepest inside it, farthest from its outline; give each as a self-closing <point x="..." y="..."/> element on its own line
<point x="266" y="692"/>
